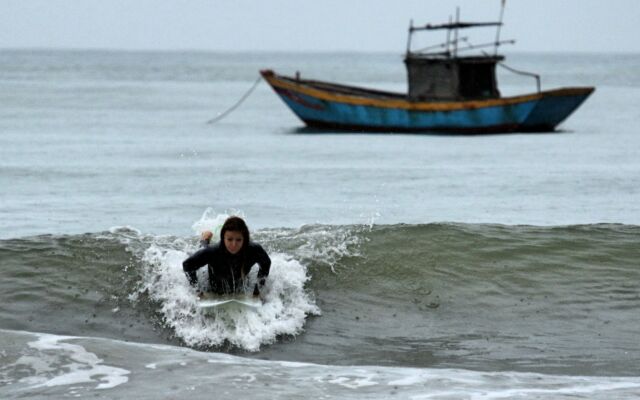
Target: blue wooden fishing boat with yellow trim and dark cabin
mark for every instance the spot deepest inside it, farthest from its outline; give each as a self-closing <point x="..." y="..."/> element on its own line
<point x="448" y="91"/>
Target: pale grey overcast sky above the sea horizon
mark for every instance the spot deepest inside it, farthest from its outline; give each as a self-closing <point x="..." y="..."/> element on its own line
<point x="300" y="25"/>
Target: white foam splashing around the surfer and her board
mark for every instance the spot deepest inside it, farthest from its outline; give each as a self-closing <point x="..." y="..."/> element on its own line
<point x="286" y="302"/>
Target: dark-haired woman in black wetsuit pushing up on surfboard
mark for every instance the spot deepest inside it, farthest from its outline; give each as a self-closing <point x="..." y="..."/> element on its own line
<point x="230" y="260"/>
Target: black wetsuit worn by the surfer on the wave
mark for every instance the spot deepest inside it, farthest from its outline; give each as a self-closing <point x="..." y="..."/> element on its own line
<point x="227" y="272"/>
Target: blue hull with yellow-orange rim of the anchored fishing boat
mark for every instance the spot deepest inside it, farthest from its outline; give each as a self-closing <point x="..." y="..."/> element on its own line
<point x="326" y="105"/>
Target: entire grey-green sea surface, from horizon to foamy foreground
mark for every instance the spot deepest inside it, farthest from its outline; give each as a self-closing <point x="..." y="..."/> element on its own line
<point x="404" y="266"/>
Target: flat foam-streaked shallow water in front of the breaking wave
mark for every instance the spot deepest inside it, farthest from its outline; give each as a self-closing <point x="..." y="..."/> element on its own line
<point x="79" y="372"/>
